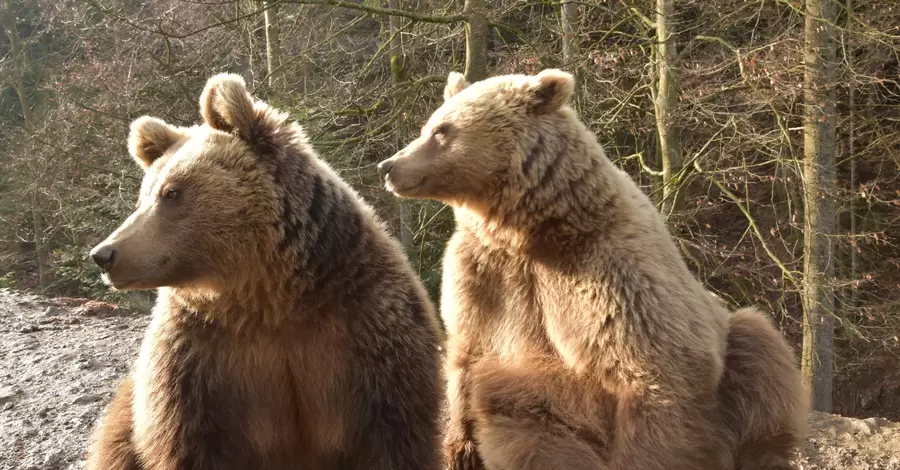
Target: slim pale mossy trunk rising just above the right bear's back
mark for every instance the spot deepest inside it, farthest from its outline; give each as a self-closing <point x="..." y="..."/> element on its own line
<point x="667" y="103"/>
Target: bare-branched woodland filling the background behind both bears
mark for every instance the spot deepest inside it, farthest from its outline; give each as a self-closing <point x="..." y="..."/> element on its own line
<point x="767" y="131"/>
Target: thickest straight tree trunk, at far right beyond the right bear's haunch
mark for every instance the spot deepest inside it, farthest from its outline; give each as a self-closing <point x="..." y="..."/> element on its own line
<point x="819" y="173"/>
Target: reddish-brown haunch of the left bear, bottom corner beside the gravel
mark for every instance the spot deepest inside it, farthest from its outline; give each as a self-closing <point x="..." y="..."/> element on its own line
<point x="112" y="446"/>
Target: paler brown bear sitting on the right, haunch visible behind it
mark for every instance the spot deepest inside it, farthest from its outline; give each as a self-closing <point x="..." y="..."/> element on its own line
<point x="579" y="339"/>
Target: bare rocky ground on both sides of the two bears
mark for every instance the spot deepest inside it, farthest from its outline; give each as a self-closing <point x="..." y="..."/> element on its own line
<point x="61" y="358"/>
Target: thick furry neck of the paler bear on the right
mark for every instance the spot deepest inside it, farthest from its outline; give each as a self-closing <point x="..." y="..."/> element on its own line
<point x="572" y="196"/>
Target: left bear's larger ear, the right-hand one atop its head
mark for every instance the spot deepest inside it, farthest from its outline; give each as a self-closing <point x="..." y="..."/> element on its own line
<point x="226" y="105"/>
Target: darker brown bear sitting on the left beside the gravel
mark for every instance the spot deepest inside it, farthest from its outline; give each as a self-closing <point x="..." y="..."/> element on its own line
<point x="289" y="332"/>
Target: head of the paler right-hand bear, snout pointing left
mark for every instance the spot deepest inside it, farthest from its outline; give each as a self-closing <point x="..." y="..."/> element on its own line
<point x="474" y="150"/>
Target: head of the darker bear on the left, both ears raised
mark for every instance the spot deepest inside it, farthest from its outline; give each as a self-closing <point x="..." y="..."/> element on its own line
<point x="207" y="203"/>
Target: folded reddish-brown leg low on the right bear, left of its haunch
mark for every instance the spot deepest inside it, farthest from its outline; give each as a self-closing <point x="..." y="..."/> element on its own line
<point x="537" y="416"/>
